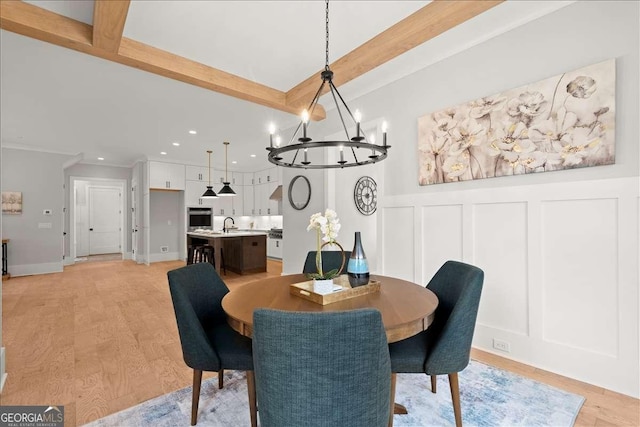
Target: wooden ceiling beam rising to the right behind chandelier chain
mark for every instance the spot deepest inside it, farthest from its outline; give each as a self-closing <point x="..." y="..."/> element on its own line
<point x="430" y="21"/>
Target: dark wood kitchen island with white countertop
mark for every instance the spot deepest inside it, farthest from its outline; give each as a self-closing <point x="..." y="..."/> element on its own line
<point x="245" y="252"/>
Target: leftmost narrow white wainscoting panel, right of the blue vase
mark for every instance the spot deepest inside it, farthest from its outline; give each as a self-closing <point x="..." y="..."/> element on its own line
<point x="398" y="258"/>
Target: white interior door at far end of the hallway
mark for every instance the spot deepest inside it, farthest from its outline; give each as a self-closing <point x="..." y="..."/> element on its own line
<point x="105" y="220"/>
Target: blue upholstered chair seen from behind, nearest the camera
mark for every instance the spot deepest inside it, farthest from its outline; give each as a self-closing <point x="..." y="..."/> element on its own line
<point x="321" y="369"/>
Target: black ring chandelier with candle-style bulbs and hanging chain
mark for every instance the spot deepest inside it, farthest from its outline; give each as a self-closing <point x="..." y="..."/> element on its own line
<point x="361" y="151"/>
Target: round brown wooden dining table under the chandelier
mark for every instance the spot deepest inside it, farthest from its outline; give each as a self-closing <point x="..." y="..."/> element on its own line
<point x="407" y="308"/>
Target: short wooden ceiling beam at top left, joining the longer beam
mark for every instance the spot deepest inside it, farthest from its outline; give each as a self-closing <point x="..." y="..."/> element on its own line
<point x="109" y="17"/>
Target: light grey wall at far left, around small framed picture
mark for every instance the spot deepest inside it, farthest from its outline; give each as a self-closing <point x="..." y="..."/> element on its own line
<point x="39" y="177"/>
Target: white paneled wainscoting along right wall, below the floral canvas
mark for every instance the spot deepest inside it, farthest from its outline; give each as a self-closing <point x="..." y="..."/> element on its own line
<point x="561" y="266"/>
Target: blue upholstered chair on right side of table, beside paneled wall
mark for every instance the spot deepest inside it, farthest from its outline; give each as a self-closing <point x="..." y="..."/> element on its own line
<point x="444" y="348"/>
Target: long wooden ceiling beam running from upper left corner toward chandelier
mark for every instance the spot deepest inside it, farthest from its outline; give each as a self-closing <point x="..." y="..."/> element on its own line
<point x="41" y="24"/>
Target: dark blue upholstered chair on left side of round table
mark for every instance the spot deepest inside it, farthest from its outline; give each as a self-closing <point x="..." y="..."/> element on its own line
<point x="208" y="342"/>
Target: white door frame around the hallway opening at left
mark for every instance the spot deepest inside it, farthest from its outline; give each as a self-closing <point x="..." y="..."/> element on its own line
<point x="122" y="184"/>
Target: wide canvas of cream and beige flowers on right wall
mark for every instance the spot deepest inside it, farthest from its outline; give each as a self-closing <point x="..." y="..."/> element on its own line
<point x="566" y="121"/>
